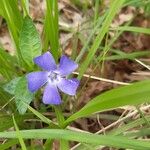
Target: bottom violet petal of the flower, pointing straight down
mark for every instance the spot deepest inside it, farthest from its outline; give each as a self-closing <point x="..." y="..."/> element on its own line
<point x="51" y="95"/>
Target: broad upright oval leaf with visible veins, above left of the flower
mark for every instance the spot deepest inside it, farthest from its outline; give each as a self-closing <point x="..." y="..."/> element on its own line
<point x="30" y="44"/>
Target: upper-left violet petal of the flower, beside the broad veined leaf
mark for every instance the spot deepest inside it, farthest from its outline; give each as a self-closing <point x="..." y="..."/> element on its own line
<point x="46" y="61"/>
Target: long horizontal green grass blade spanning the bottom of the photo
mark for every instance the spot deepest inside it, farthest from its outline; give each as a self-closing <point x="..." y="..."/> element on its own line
<point x="107" y="140"/>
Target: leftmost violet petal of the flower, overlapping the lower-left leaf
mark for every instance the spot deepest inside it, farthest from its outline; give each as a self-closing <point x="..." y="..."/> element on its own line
<point x="36" y="80"/>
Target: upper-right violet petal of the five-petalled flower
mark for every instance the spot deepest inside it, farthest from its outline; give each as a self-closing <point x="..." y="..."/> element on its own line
<point x="67" y="66"/>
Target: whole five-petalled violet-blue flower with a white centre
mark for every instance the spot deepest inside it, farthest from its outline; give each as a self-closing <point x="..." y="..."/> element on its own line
<point x="54" y="77"/>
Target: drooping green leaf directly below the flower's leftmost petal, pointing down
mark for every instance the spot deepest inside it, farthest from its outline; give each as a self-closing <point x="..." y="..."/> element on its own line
<point x="22" y="95"/>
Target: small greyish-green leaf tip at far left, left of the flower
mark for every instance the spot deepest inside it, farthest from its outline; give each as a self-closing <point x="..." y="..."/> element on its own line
<point x="11" y="86"/>
